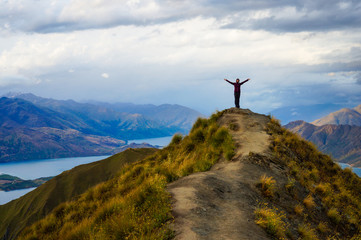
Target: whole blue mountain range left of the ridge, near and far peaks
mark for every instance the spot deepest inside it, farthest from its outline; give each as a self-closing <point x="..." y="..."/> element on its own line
<point x="32" y="127"/>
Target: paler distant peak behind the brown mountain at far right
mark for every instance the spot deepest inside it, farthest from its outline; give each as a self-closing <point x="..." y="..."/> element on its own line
<point x="344" y="116"/>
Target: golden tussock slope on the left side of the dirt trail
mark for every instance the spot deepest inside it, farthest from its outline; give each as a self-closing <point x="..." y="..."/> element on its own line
<point x="135" y="204"/>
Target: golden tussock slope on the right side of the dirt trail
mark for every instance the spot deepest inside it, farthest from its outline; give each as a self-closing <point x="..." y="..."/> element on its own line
<point x="319" y="200"/>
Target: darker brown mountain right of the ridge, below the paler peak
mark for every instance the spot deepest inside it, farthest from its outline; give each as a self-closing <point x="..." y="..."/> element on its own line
<point x="343" y="142"/>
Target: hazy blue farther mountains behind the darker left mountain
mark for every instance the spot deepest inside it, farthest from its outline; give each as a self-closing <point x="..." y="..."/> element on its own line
<point x="122" y="121"/>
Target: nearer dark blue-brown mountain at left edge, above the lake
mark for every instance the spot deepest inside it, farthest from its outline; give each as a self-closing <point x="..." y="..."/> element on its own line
<point x="31" y="132"/>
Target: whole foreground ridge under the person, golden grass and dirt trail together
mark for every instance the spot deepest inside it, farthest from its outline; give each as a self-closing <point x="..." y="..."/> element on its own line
<point x="237" y="175"/>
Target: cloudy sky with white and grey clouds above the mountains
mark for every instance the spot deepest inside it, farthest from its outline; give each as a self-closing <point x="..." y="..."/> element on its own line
<point x="179" y="51"/>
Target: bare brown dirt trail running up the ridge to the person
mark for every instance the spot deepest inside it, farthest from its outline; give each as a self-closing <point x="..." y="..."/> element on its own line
<point x="219" y="204"/>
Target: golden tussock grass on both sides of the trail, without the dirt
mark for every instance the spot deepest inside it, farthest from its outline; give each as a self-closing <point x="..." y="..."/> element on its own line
<point x="318" y="201"/>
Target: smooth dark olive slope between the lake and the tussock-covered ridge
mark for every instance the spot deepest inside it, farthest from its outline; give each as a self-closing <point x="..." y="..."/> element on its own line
<point x="36" y="204"/>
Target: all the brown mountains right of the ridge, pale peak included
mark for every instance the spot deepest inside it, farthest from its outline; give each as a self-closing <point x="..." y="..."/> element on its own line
<point x="337" y="134"/>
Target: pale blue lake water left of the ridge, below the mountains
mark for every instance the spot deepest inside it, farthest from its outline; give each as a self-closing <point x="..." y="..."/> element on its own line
<point x="51" y="167"/>
